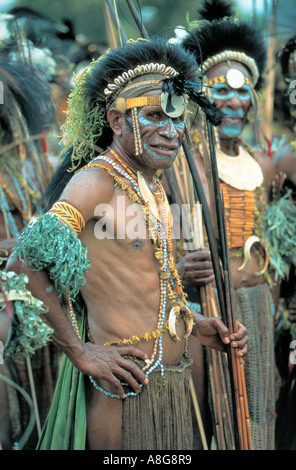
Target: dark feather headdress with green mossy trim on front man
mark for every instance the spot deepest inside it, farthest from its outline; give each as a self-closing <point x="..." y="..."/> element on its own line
<point x="88" y="121"/>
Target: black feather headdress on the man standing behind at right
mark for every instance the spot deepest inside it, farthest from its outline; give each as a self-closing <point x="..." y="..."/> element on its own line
<point x="220" y="31"/>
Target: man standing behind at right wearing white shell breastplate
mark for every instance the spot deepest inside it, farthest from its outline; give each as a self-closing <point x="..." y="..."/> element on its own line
<point x="233" y="58"/>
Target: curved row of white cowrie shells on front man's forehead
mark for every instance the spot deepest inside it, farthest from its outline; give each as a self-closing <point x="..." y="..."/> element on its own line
<point x="138" y="71"/>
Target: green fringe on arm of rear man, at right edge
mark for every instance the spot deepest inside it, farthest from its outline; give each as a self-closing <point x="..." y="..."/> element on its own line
<point x="279" y="232"/>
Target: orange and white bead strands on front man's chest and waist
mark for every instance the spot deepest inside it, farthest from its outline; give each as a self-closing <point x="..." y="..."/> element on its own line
<point x="160" y="234"/>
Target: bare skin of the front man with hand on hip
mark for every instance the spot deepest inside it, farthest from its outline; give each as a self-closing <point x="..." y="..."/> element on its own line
<point x="114" y="300"/>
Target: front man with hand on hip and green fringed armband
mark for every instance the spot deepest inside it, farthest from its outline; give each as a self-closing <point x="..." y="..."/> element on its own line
<point x="113" y="292"/>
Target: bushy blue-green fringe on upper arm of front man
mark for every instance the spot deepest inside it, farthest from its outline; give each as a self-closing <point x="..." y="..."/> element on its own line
<point x="47" y="244"/>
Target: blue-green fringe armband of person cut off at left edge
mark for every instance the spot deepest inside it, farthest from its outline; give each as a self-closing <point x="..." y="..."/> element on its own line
<point x="28" y="332"/>
